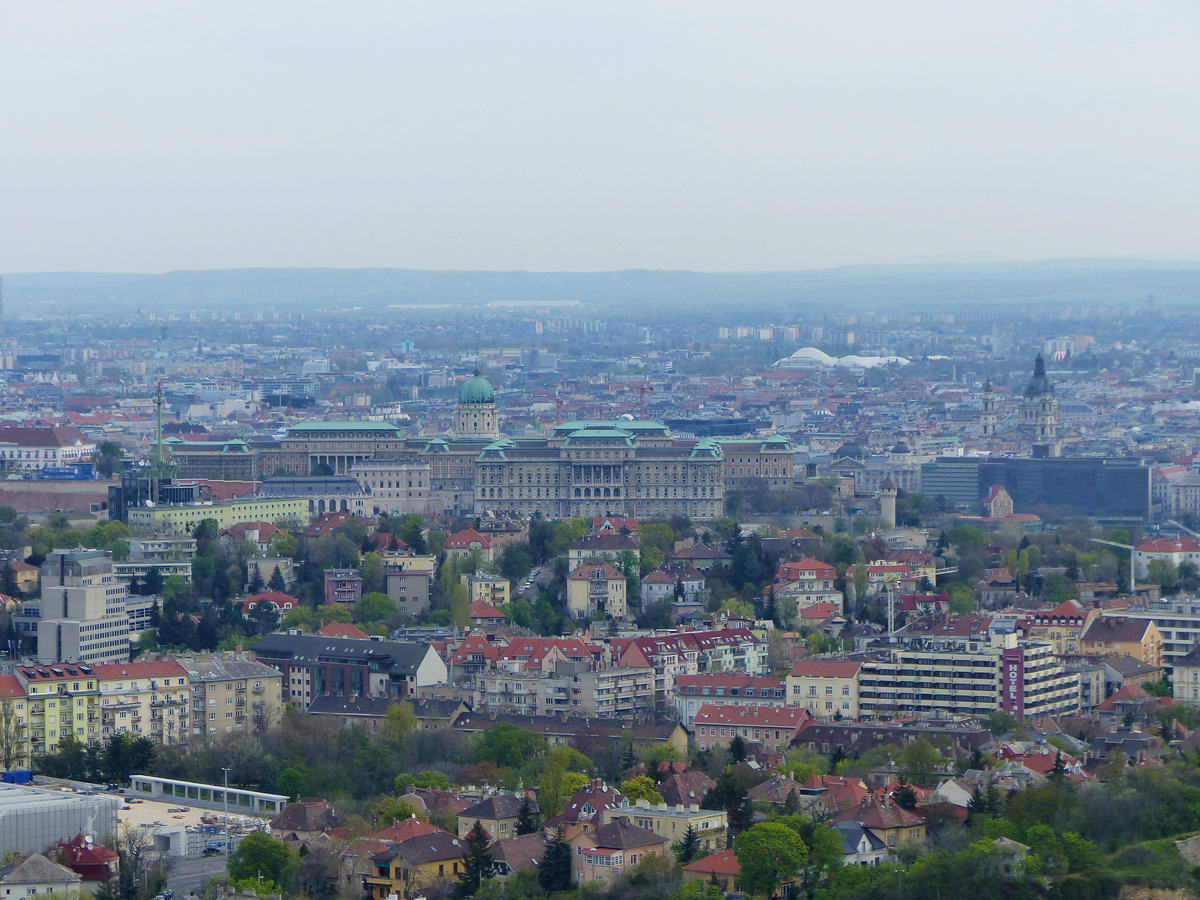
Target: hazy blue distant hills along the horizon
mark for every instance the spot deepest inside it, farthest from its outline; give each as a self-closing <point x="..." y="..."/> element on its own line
<point x="955" y="285"/>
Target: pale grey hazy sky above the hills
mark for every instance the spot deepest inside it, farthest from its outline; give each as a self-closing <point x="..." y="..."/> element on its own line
<point x="579" y="135"/>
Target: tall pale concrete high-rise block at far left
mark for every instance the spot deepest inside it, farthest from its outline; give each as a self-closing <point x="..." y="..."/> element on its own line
<point x="81" y="616"/>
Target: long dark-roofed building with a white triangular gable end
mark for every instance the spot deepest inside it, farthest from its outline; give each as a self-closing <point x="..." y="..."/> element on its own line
<point x="314" y="667"/>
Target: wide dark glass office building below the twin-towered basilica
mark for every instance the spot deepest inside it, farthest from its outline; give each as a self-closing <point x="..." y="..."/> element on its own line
<point x="1107" y="490"/>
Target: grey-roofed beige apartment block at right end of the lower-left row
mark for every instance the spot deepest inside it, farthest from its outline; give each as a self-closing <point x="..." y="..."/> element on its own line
<point x="233" y="694"/>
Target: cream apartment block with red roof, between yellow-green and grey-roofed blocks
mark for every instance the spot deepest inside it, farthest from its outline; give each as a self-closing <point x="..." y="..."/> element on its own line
<point x="151" y="699"/>
